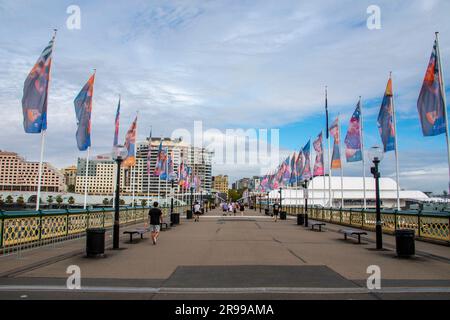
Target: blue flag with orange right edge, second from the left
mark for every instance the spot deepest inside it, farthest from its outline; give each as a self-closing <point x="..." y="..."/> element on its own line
<point x="83" y="110"/>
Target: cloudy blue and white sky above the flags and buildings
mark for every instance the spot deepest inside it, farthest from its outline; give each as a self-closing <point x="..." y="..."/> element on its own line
<point x="229" y="64"/>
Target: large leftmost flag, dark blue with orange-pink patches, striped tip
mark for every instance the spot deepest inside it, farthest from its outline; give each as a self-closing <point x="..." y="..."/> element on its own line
<point x="35" y="92"/>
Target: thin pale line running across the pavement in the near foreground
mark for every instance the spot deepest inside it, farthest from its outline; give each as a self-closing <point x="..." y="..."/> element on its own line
<point x="293" y="290"/>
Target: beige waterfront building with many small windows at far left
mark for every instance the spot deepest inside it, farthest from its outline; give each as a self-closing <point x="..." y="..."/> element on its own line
<point x="17" y="174"/>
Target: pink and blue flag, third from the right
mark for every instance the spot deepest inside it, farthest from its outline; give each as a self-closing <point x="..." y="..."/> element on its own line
<point x="352" y="140"/>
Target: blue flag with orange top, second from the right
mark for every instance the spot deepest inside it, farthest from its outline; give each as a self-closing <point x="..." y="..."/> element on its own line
<point x="385" y="120"/>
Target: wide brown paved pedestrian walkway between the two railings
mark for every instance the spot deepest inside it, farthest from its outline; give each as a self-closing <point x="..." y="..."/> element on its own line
<point x="226" y="257"/>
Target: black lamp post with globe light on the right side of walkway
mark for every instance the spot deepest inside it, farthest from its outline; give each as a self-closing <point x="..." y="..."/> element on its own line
<point x="376" y="155"/>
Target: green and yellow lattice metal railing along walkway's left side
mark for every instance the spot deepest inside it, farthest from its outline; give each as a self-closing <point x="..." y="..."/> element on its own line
<point x="34" y="228"/>
